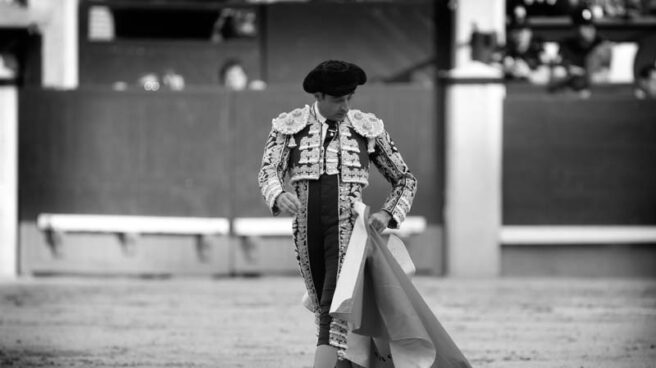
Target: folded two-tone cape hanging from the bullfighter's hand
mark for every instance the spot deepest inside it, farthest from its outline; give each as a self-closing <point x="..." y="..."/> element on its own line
<point x="390" y="323"/>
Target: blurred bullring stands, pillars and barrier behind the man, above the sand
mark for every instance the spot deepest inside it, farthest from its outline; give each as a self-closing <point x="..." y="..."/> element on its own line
<point x="131" y="131"/>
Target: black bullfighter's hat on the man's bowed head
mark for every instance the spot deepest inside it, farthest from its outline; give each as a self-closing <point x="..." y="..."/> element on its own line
<point x="335" y="78"/>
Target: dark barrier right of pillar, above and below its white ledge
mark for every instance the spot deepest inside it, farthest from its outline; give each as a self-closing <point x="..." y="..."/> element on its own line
<point x="579" y="163"/>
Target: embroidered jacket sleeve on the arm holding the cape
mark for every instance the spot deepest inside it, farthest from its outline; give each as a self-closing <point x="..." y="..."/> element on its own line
<point x="389" y="162"/>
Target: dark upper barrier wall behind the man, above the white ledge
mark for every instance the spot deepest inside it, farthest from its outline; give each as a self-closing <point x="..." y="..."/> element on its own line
<point x="192" y="153"/>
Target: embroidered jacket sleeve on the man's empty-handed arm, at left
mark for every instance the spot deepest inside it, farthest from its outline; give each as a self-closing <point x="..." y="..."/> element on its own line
<point x="272" y="171"/>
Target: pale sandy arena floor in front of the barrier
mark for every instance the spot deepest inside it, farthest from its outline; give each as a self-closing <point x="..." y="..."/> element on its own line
<point x="233" y="322"/>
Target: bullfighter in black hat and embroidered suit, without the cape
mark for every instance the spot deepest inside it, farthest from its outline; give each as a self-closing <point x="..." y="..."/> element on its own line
<point x="326" y="149"/>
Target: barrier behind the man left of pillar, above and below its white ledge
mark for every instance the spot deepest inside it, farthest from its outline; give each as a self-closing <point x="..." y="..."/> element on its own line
<point x="194" y="153"/>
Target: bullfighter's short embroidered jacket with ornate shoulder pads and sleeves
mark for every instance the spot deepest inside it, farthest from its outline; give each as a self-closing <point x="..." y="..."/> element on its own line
<point x="294" y="147"/>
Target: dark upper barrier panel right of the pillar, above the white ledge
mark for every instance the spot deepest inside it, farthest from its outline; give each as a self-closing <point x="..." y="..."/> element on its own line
<point x="579" y="162"/>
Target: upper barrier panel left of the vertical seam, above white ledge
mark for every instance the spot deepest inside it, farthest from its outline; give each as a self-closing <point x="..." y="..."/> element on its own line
<point x="105" y="152"/>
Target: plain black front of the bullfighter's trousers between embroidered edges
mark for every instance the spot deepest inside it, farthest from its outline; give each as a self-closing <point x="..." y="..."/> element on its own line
<point x="323" y="245"/>
